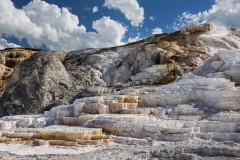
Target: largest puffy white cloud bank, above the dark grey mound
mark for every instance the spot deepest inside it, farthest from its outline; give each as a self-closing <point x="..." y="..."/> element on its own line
<point x="57" y="28"/>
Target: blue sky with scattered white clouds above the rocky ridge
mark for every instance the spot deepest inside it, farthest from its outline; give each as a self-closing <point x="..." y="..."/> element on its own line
<point x="79" y="24"/>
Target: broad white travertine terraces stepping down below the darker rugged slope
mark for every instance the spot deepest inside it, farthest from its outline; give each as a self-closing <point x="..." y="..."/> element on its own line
<point x="162" y="113"/>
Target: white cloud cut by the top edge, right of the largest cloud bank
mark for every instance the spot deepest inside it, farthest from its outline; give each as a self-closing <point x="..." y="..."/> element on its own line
<point x="130" y="8"/>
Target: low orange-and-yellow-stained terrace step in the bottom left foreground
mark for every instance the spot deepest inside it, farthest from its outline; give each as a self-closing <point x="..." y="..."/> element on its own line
<point x="56" y="135"/>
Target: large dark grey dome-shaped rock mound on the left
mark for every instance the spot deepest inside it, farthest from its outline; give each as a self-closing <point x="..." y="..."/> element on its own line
<point x="37" y="83"/>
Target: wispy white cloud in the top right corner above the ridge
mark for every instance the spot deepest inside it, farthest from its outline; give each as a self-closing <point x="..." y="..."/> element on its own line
<point x="222" y="13"/>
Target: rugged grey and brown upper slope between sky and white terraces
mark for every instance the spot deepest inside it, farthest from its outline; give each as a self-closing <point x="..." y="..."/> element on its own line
<point x="43" y="80"/>
